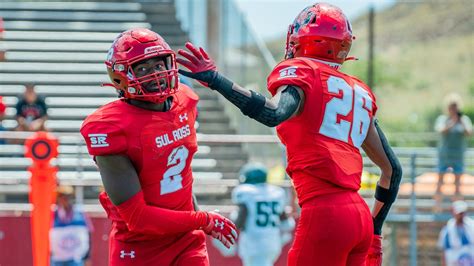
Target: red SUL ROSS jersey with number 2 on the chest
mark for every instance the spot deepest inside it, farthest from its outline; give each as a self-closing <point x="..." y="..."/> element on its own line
<point x="159" y="144"/>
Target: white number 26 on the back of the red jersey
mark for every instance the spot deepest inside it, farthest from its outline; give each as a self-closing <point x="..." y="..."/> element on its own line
<point x="354" y="99"/>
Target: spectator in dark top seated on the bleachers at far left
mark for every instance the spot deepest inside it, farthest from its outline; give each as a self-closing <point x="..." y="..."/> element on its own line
<point x="31" y="111"/>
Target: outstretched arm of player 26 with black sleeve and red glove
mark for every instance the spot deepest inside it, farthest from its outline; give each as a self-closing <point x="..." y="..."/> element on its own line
<point x="271" y="112"/>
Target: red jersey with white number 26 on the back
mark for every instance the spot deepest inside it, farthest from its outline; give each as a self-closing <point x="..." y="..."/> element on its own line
<point x="323" y="141"/>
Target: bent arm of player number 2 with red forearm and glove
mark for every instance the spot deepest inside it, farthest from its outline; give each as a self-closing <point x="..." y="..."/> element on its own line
<point x="122" y="185"/>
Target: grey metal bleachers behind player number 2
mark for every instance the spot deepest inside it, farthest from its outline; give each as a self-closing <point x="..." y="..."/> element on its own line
<point x="61" y="48"/>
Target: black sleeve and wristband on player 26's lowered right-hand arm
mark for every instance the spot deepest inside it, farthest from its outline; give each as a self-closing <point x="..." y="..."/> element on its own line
<point x="387" y="196"/>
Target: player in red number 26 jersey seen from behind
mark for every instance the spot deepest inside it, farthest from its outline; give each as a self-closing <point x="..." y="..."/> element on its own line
<point x="323" y="117"/>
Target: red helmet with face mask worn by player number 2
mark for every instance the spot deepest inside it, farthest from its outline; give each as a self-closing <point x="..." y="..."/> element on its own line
<point x="131" y="47"/>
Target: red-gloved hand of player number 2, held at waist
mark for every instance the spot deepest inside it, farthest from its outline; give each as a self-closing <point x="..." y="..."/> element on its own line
<point x="221" y="229"/>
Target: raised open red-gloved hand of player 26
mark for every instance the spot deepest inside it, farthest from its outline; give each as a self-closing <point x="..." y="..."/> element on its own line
<point x="202" y="67"/>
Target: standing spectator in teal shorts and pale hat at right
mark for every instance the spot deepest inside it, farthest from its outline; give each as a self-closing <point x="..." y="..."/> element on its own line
<point x="454" y="128"/>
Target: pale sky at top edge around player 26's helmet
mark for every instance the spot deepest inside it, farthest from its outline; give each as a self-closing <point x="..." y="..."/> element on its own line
<point x="270" y="18"/>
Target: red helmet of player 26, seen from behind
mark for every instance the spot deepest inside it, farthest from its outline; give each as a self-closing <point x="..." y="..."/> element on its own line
<point x="320" y="31"/>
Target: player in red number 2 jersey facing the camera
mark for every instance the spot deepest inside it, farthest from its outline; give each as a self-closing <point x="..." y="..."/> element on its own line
<point x="143" y="145"/>
